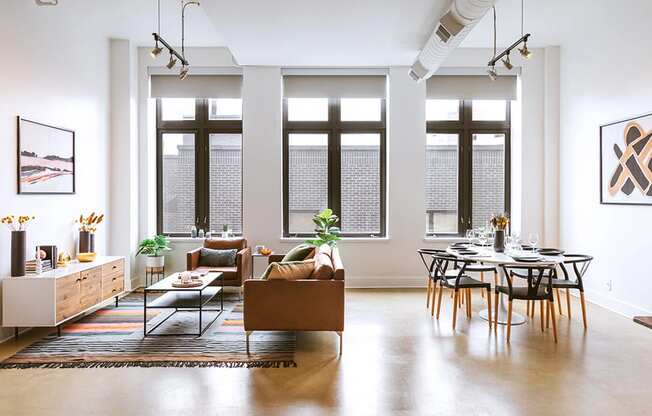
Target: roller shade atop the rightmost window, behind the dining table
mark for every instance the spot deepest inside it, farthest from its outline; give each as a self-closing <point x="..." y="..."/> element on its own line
<point x="467" y="87"/>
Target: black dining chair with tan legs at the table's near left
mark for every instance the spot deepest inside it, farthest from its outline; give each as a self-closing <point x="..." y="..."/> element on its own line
<point x="450" y="272"/>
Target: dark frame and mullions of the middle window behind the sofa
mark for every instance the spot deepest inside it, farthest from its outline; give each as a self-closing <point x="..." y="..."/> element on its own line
<point x="334" y="128"/>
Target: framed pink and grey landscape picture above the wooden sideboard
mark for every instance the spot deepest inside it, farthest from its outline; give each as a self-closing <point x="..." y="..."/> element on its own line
<point x="46" y="159"/>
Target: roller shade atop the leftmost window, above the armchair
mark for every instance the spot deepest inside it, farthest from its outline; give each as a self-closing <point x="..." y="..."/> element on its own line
<point x="196" y="86"/>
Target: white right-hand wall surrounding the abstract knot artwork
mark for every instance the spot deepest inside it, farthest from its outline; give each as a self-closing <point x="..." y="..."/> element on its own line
<point x="605" y="76"/>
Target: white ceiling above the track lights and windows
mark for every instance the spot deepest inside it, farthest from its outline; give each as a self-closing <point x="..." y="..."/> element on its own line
<point x="307" y="32"/>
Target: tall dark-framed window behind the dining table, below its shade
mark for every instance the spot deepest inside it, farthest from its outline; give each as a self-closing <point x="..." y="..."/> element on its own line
<point x="467" y="163"/>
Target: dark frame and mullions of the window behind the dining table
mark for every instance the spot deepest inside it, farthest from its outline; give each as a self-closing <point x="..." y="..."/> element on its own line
<point x="465" y="127"/>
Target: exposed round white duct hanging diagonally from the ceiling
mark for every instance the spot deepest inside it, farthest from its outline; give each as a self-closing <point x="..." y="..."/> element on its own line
<point x="451" y="29"/>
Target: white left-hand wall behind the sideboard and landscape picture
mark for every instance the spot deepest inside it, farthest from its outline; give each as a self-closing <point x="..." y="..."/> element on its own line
<point x="56" y="74"/>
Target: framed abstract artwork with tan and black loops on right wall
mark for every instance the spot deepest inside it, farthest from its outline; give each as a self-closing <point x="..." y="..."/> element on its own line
<point x="626" y="162"/>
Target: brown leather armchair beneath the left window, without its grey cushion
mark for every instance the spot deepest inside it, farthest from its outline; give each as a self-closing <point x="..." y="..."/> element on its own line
<point x="233" y="276"/>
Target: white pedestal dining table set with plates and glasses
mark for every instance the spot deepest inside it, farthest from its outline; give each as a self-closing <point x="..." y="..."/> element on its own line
<point x="487" y="255"/>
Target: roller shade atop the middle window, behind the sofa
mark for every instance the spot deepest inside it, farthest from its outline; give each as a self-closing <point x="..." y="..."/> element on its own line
<point x="334" y="86"/>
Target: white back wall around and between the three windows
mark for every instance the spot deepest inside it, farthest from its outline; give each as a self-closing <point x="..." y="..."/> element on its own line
<point x="380" y="262"/>
